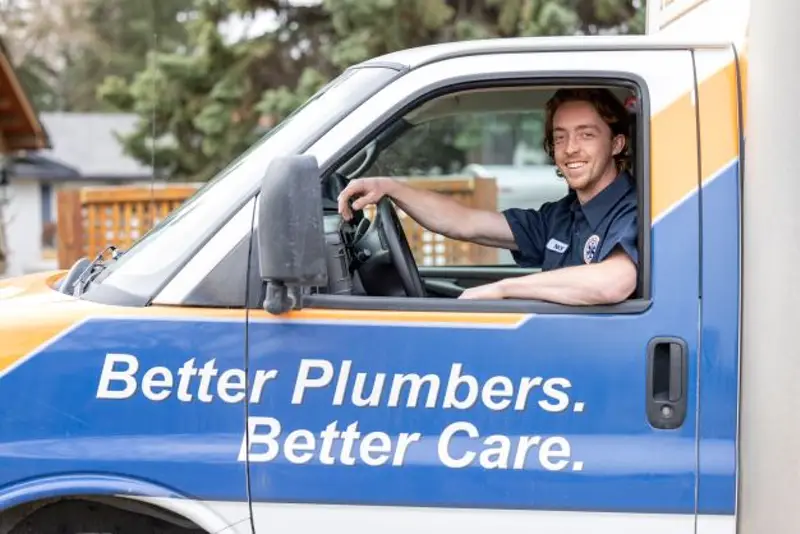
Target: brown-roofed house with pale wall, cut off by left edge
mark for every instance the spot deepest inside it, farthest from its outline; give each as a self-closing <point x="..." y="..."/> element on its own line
<point x="20" y="131"/>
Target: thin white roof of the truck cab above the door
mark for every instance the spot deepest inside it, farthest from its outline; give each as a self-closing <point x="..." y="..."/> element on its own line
<point x="416" y="57"/>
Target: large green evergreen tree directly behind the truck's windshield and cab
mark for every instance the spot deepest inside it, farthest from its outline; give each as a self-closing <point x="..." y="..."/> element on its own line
<point x="207" y="103"/>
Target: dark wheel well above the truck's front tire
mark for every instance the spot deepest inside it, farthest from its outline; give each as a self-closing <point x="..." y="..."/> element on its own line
<point x="28" y="517"/>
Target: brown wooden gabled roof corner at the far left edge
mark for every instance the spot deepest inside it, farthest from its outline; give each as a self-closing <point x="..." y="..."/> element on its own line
<point x="20" y="128"/>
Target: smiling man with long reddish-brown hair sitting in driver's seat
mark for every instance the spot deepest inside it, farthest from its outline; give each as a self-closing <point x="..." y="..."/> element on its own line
<point x="585" y="243"/>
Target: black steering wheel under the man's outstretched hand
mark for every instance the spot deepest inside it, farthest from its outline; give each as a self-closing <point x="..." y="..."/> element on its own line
<point x="386" y="256"/>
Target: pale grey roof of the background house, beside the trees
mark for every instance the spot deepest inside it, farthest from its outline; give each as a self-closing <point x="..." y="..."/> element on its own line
<point x="87" y="142"/>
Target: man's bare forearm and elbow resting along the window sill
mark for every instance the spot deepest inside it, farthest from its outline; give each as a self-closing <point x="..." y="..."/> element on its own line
<point x="608" y="282"/>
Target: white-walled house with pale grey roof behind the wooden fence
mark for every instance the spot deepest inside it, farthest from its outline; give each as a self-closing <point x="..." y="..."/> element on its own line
<point x="84" y="152"/>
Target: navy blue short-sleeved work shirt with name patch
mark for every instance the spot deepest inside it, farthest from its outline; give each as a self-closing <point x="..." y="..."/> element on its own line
<point x="564" y="233"/>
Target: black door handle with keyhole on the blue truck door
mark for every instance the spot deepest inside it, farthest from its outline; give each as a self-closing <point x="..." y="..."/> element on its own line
<point x="666" y="382"/>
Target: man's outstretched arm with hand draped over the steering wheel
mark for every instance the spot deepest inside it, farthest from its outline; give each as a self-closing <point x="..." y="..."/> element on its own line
<point x="433" y="211"/>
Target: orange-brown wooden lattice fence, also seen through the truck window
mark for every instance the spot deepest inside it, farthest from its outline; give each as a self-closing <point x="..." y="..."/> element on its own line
<point x="92" y="218"/>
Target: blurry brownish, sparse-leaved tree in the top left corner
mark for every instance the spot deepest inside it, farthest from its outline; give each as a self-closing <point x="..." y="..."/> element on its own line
<point x="63" y="49"/>
